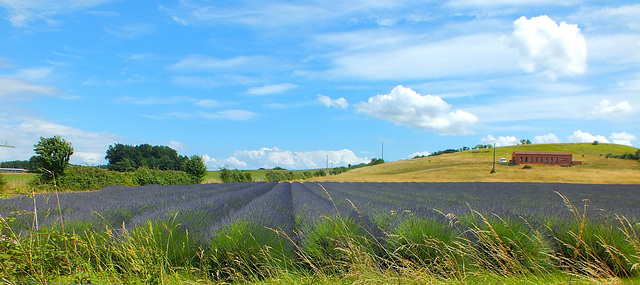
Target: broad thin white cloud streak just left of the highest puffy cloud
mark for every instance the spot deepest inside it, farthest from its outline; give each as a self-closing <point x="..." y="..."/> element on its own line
<point x="454" y="57"/>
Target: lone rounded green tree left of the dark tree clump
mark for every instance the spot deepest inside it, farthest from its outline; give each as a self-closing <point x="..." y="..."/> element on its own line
<point x="52" y="157"/>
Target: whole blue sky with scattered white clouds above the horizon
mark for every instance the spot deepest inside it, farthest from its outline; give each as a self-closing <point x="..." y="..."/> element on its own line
<point x="252" y="84"/>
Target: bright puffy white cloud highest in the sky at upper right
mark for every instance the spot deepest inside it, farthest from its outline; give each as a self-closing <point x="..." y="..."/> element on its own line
<point x="547" y="46"/>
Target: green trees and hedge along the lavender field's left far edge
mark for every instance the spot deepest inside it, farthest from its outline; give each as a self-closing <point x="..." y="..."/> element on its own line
<point x="127" y="165"/>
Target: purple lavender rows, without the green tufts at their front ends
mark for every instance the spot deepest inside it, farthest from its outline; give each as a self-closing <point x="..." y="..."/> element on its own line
<point x="296" y="207"/>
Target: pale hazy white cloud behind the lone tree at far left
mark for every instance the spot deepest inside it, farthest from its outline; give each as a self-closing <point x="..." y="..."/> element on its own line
<point x="23" y="133"/>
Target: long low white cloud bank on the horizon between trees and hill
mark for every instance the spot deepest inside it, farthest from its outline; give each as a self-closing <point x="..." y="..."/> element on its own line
<point x="272" y="157"/>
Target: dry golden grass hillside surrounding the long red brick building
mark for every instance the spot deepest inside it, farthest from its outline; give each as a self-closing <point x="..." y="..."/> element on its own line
<point x="476" y="165"/>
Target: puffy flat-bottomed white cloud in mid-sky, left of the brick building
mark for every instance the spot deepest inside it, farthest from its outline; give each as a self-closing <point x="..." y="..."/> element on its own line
<point x="404" y="106"/>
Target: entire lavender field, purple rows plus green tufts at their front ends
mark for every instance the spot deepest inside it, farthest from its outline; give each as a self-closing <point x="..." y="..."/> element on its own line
<point x="296" y="221"/>
